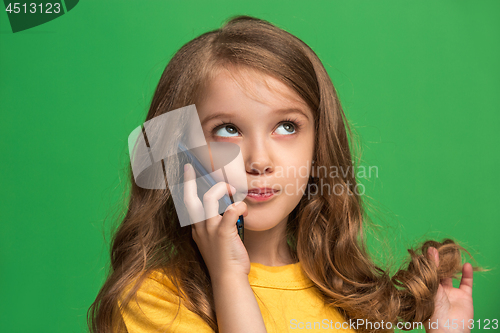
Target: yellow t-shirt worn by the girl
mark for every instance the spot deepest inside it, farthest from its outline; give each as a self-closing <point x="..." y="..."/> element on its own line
<point x="287" y="299"/>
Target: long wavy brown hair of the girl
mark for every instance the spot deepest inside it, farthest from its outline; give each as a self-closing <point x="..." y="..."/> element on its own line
<point x="324" y="232"/>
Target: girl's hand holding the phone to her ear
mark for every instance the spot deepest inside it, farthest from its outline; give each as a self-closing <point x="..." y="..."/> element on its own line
<point x="216" y="237"/>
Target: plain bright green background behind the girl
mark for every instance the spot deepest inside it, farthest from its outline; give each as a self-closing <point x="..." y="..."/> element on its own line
<point x="419" y="81"/>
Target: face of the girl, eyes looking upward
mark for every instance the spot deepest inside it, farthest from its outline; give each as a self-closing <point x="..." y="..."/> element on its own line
<point x="274" y="129"/>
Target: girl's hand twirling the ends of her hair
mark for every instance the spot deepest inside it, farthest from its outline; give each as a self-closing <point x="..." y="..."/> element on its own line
<point x="453" y="310"/>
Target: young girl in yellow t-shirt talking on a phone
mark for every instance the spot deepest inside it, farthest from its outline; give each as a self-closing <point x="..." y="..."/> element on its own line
<point x="303" y="263"/>
